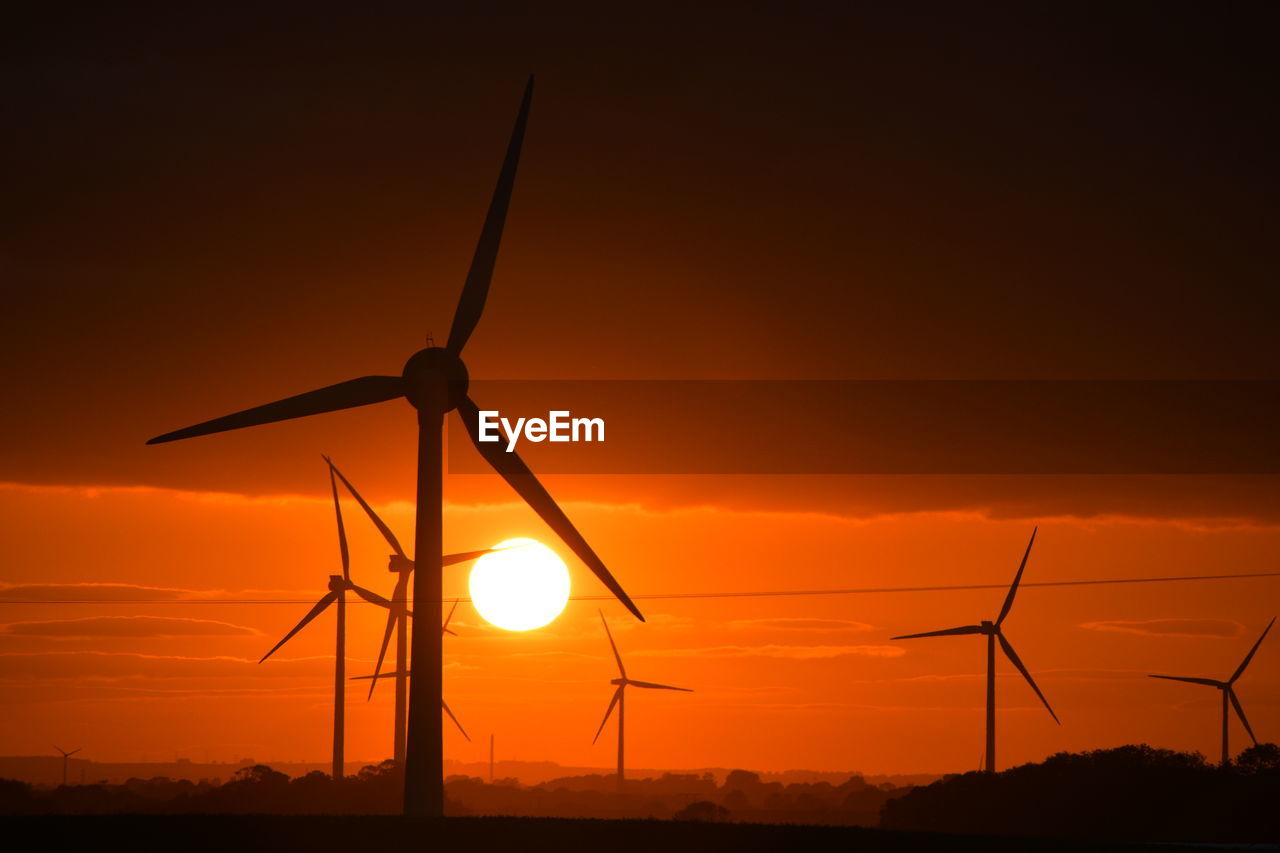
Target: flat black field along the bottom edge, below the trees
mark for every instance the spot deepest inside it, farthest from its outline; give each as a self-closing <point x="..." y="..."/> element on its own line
<point x="240" y="833"/>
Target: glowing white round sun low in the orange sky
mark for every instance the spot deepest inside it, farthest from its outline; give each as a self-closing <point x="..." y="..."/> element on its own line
<point x="523" y="587"/>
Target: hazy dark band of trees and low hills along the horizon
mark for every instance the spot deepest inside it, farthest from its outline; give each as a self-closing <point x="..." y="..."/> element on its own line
<point x="1130" y="795"/>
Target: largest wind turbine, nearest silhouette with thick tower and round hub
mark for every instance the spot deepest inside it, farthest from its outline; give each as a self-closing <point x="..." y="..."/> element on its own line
<point x="435" y="381"/>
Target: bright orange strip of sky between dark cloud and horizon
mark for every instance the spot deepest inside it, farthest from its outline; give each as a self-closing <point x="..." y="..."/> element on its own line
<point x="780" y="682"/>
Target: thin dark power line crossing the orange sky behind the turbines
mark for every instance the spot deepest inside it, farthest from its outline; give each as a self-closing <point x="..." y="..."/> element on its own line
<point x="760" y="594"/>
